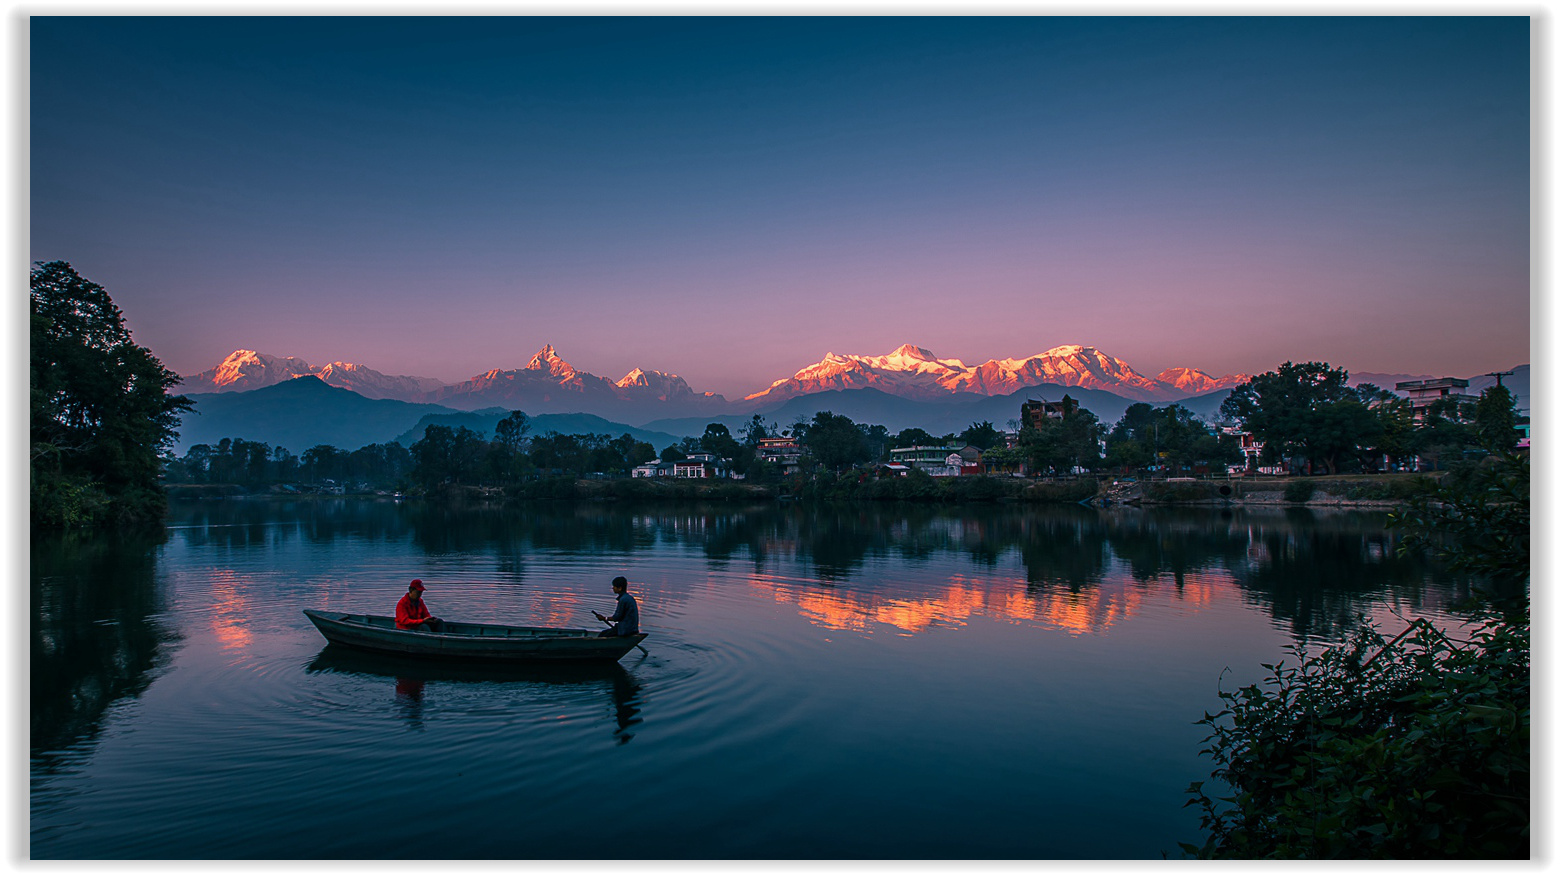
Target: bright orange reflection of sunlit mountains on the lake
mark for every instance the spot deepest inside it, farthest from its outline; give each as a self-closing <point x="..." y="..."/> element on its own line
<point x="1091" y="610"/>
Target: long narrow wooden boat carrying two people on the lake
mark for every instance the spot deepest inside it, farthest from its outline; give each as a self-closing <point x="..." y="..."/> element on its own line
<point x="470" y="641"/>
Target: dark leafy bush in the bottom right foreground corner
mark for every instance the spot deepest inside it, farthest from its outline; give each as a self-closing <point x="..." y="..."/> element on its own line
<point x="1417" y="747"/>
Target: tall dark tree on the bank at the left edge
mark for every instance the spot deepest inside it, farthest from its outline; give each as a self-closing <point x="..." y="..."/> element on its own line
<point x="101" y="412"/>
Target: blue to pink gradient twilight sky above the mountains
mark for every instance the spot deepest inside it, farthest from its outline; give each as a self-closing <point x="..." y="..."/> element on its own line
<point x="729" y="199"/>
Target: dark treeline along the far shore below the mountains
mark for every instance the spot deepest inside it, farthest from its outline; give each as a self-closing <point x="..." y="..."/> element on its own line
<point x="1306" y="417"/>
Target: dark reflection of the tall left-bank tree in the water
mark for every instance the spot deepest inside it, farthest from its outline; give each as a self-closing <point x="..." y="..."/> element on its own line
<point x="94" y="637"/>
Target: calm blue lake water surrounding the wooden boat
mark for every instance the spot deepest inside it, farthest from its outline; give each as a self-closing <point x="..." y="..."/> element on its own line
<point x="854" y="682"/>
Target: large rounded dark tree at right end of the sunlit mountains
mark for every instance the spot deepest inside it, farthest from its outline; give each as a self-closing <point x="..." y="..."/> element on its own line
<point x="1305" y="411"/>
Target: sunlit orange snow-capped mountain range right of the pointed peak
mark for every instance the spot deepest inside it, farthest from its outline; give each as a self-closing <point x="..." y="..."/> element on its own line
<point x="913" y="372"/>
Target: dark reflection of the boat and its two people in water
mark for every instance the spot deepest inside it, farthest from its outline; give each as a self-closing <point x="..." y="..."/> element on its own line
<point x="408" y="682"/>
